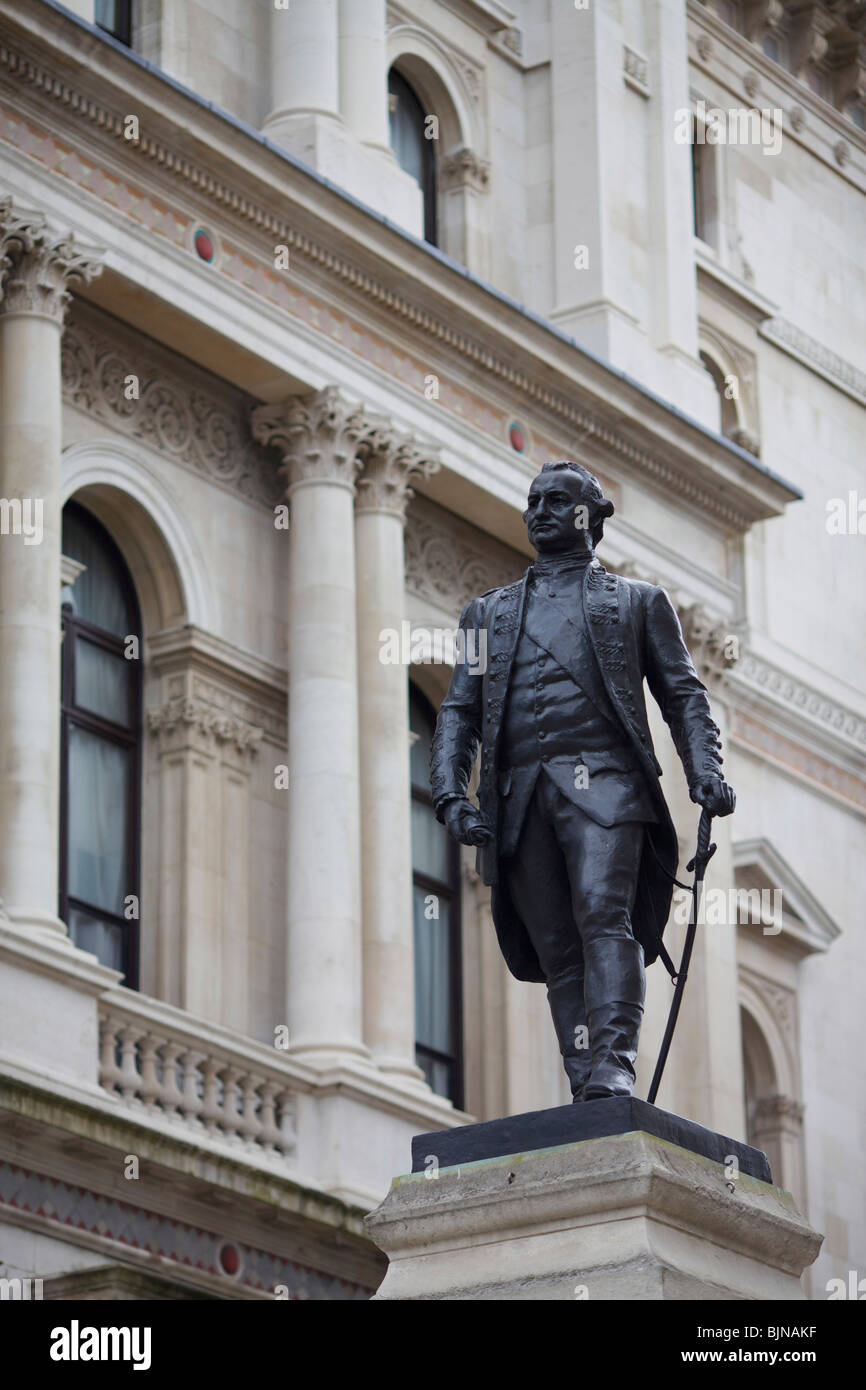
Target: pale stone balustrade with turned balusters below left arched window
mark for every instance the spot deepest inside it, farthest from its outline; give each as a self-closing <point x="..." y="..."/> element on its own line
<point x="208" y="1081"/>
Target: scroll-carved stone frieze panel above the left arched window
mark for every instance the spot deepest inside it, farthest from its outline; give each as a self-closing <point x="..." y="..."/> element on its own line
<point x="151" y="395"/>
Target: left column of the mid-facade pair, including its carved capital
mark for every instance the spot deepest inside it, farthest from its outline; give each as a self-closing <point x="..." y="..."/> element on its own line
<point x="319" y="439"/>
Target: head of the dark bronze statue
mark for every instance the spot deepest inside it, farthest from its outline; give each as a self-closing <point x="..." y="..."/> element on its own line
<point x="566" y="509"/>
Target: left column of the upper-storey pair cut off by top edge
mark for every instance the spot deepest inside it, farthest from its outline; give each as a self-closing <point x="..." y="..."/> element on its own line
<point x="304" y="67"/>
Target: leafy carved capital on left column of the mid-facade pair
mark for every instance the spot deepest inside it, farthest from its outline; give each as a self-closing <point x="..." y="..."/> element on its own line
<point x="318" y="436"/>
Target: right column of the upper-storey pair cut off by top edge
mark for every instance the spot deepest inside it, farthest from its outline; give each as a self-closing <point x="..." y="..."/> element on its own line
<point x="363" y="70"/>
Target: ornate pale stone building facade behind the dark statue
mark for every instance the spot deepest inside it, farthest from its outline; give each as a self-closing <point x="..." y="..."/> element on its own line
<point x="295" y="302"/>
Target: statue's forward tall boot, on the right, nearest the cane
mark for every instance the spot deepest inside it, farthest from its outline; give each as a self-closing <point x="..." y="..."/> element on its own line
<point x="615" y="1008"/>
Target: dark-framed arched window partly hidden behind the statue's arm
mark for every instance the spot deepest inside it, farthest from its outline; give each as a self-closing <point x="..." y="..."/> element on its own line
<point x="437" y="922"/>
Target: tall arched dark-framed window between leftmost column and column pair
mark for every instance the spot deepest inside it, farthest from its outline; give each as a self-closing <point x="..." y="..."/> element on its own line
<point x="101" y="749"/>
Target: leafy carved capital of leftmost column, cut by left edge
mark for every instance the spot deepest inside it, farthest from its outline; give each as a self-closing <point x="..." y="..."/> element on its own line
<point x="37" y="266"/>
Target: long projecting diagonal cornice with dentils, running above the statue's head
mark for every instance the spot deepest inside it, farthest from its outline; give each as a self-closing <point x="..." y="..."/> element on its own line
<point x="370" y="262"/>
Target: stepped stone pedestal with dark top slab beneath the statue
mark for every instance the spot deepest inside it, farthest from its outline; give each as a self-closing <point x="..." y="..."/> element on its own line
<point x="628" y="1216"/>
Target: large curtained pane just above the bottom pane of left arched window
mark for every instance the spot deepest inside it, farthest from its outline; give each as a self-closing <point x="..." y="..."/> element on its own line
<point x="98" y="808"/>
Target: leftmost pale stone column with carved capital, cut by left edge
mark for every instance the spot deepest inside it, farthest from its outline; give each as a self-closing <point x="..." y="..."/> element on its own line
<point x="35" y="269"/>
